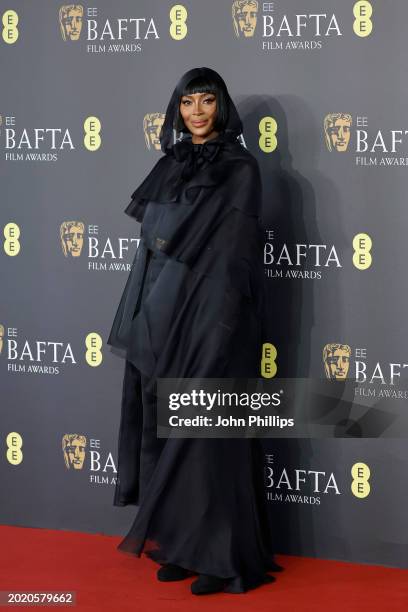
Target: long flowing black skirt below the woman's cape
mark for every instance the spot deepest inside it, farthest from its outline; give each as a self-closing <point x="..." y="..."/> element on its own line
<point x="201" y="501"/>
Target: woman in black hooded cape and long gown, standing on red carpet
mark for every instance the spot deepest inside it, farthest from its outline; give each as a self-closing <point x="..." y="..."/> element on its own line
<point x="192" y="308"/>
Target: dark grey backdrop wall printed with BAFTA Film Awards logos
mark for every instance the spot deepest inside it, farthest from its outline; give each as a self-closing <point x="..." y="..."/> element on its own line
<point x="321" y="90"/>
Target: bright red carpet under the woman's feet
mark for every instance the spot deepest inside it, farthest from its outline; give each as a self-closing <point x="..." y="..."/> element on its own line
<point x="106" y="579"/>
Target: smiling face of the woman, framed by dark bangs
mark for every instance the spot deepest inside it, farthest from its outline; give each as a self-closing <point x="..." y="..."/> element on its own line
<point x="199" y="112"/>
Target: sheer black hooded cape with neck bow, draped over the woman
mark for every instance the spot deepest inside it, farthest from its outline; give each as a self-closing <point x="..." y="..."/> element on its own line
<point x="200" y="209"/>
